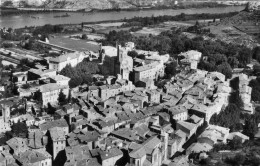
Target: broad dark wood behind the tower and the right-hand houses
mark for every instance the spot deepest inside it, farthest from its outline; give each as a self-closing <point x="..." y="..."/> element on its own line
<point x="218" y="56"/>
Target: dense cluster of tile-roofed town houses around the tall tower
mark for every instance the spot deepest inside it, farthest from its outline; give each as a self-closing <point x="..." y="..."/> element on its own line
<point x="116" y="121"/>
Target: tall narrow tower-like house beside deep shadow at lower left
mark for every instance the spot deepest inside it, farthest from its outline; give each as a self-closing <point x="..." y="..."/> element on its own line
<point x="58" y="141"/>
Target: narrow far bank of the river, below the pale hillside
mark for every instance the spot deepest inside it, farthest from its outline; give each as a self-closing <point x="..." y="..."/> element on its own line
<point x="5" y="11"/>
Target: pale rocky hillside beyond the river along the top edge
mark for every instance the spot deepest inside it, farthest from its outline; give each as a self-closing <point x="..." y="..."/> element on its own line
<point x="87" y="4"/>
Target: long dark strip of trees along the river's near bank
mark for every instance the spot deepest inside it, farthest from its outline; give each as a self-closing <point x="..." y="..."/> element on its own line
<point x="147" y="21"/>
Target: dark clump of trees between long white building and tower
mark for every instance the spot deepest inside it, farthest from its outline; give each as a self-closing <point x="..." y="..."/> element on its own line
<point x="81" y="74"/>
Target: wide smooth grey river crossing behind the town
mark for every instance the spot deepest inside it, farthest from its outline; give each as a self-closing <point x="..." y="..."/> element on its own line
<point x="20" y="21"/>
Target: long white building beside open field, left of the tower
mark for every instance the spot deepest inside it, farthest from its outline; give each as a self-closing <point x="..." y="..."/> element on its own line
<point x="58" y="63"/>
